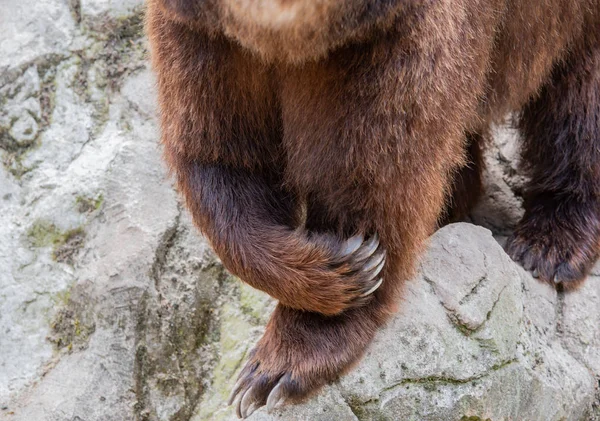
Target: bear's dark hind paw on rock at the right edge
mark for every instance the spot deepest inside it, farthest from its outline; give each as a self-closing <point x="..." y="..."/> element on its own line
<point x="557" y="242"/>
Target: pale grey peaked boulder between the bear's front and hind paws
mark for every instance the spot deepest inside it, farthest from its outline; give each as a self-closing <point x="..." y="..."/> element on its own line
<point x="470" y="341"/>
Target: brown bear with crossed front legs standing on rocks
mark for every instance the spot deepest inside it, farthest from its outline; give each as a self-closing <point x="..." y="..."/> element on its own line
<point x="318" y="143"/>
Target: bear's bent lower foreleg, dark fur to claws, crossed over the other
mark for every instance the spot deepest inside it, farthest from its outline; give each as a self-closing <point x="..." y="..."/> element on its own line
<point x="250" y="220"/>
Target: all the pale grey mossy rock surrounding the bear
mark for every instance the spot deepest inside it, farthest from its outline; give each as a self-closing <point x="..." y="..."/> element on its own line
<point x="112" y="307"/>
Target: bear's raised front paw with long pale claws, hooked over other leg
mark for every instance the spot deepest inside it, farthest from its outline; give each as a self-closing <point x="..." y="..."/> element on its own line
<point x="321" y="273"/>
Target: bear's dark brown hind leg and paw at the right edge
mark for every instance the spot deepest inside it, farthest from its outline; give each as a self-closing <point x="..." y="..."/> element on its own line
<point x="559" y="236"/>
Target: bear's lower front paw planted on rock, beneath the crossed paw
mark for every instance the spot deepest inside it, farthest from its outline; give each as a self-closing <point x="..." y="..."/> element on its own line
<point x="299" y="353"/>
